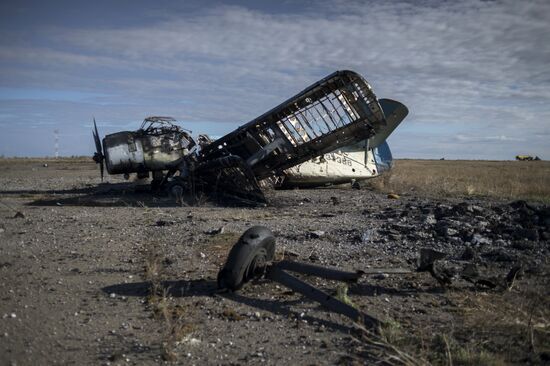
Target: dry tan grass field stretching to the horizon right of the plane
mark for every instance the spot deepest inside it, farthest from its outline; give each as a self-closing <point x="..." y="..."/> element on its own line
<point x="496" y="179"/>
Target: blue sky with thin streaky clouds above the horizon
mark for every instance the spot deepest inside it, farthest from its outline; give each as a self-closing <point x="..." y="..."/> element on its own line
<point x="475" y="75"/>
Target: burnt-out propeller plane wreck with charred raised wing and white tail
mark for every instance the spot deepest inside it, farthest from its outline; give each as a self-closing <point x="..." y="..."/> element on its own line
<point x="338" y="118"/>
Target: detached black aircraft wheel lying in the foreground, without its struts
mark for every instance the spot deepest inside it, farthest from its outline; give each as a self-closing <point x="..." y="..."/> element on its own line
<point x="248" y="258"/>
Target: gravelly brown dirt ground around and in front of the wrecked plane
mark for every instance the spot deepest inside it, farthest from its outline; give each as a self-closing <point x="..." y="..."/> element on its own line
<point x="104" y="273"/>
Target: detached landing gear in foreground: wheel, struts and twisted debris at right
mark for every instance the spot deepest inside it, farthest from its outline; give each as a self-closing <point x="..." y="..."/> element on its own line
<point x="253" y="257"/>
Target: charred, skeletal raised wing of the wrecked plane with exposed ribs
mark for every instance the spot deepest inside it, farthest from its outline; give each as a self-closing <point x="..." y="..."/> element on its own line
<point x="336" y="111"/>
